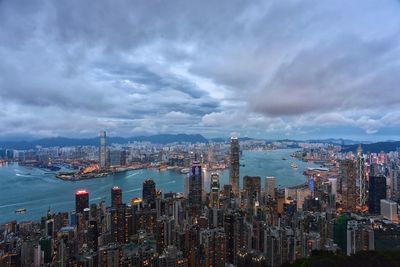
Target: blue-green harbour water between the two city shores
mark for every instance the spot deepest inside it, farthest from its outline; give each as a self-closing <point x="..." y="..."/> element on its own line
<point x="22" y="187"/>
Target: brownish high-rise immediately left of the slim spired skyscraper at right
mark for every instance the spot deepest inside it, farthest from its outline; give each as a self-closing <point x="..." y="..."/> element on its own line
<point x="348" y="176"/>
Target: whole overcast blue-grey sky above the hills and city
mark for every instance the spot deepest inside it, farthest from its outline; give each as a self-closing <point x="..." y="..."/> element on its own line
<point x="273" y="69"/>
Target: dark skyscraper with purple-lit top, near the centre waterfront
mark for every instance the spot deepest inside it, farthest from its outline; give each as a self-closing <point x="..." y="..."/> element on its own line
<point x="195" y="189"/>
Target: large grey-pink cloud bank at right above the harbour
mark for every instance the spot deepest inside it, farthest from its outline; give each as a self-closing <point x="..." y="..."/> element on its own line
<point x="348" y="73"/>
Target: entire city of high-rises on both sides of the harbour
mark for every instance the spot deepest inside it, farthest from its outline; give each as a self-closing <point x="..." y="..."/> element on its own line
<point x="347" y="203"/>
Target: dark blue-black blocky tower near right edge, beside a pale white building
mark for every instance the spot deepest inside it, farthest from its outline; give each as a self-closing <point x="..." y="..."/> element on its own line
<point x="377" y="191"/>
